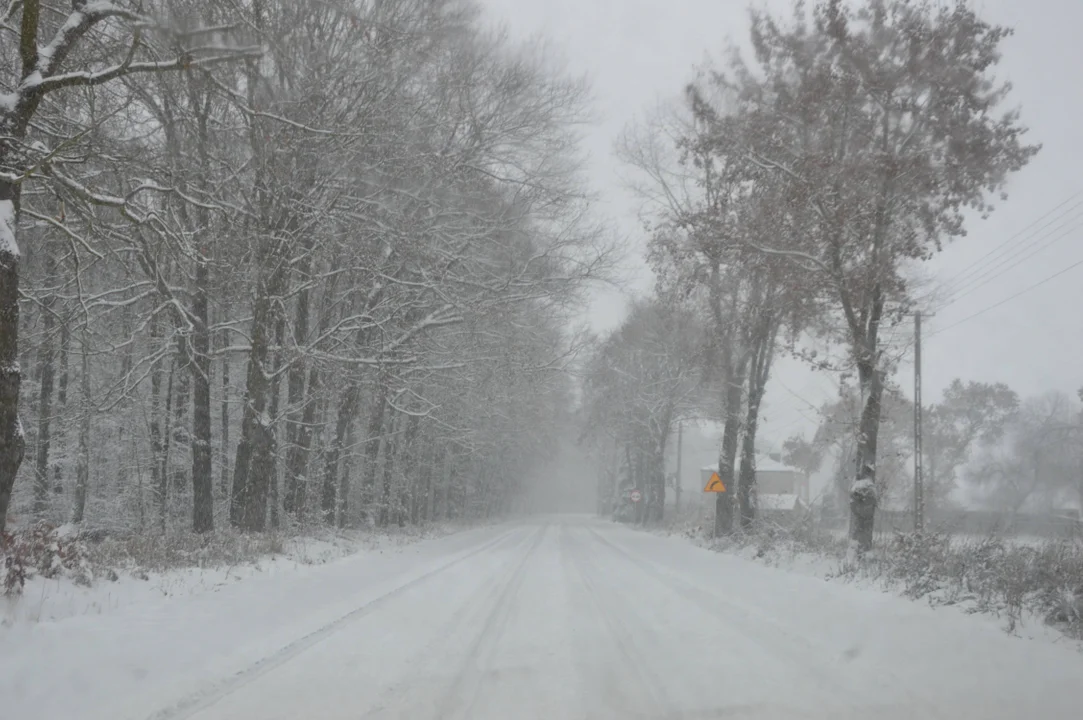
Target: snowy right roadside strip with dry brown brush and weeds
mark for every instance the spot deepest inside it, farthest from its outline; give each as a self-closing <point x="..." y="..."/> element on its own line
<point x="1030" y="590"/>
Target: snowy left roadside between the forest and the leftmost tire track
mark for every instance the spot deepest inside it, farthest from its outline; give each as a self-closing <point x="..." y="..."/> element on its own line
<point x="133" y="648"/>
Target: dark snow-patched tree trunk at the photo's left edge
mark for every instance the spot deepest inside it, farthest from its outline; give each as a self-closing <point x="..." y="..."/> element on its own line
<point x="12" y="440"/>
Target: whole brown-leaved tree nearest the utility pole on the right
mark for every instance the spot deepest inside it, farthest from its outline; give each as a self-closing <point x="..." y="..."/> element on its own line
<point x="866" y="136"/>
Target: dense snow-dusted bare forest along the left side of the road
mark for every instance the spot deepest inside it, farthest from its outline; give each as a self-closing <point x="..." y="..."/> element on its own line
<point x="306" y="260"/>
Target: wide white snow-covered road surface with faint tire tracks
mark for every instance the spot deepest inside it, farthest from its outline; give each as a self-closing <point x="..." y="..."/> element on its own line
<point x="556" y="618"/>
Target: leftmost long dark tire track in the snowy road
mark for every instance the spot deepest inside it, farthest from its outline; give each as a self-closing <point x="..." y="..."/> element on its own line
<point x="203" y="700"/>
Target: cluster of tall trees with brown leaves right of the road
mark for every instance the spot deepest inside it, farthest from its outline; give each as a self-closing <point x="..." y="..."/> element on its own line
<point x="793" y="193"/>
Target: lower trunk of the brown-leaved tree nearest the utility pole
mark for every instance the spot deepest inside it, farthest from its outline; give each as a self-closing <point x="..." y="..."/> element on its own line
<point x="864" y="496"/>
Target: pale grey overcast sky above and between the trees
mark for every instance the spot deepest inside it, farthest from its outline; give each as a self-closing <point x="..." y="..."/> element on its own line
<point x="638" y="54"/>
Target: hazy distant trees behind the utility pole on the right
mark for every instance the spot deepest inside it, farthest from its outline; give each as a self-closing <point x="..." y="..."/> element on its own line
<point x="1009" y="454"/>
